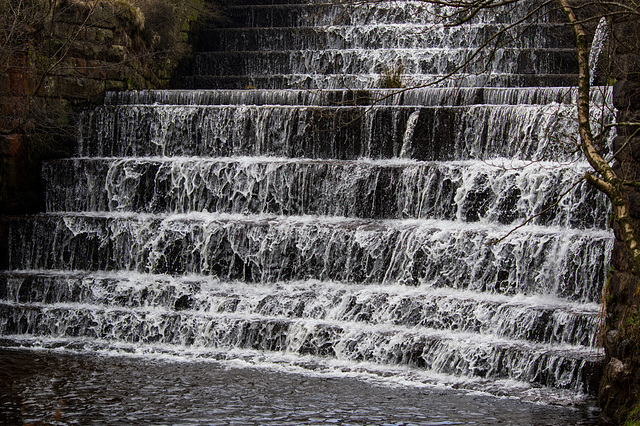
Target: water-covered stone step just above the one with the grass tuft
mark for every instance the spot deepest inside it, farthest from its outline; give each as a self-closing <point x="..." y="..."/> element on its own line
<point x="438" y="61"/>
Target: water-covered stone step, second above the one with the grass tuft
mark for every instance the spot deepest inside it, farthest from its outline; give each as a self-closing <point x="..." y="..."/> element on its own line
<point x="386" y="36"/>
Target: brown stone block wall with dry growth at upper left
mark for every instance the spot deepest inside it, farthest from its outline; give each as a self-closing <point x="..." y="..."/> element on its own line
<point x="103" y="48"/>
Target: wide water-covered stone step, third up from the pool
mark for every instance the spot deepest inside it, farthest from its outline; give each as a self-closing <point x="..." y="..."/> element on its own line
<point x="529" y="260"/>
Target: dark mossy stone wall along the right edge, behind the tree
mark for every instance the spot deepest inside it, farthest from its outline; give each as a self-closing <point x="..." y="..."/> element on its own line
<point x="619" y="394"/>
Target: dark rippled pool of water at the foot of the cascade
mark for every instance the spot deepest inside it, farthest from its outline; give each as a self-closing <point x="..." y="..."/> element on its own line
<point x="39" y="386"/>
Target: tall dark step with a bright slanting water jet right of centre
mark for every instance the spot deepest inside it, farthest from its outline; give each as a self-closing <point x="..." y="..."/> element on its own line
<point x="483" y="132"/>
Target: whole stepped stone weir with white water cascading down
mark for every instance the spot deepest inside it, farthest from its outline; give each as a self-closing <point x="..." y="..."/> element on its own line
<point x="284" y="208"/>
